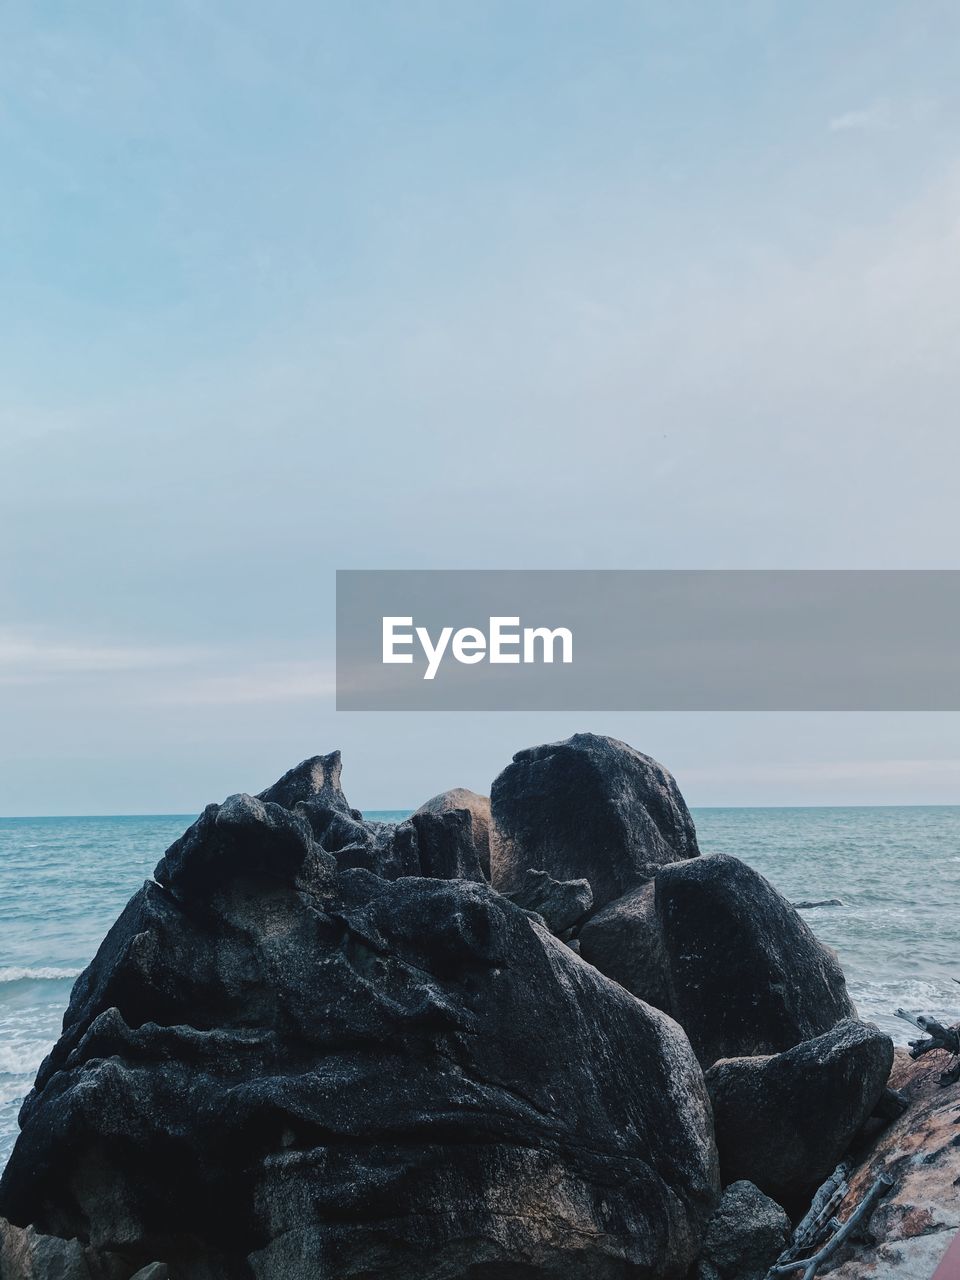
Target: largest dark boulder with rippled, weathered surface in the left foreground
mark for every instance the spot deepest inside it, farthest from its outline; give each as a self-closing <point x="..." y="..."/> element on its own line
<point x="286" y="1068"/>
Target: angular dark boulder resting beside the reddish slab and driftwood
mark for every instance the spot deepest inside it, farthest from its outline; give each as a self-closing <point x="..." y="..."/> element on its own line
<point x="784" y="1122"/>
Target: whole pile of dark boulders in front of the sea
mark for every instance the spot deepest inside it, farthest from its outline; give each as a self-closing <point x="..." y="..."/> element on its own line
<point x="321" y="1048"/>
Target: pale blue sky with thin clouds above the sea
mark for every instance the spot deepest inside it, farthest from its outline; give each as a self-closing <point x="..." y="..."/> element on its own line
<point x="552" y="285"/>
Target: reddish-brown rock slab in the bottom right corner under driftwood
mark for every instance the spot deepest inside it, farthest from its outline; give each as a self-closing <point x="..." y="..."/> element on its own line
<point x="916" y="1224"/>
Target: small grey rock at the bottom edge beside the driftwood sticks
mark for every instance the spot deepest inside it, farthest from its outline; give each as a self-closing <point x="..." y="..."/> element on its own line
<point x="744" y="1237"/>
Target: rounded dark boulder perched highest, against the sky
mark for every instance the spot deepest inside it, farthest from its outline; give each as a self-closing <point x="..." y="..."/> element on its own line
<point x="589" y="807"/>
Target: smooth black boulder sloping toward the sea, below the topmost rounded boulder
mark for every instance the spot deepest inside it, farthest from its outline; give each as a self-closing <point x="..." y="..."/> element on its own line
<point x="744" y="972"/>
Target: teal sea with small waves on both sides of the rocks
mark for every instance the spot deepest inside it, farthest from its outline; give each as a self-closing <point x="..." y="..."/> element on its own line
<point x="897" y="872"/>
